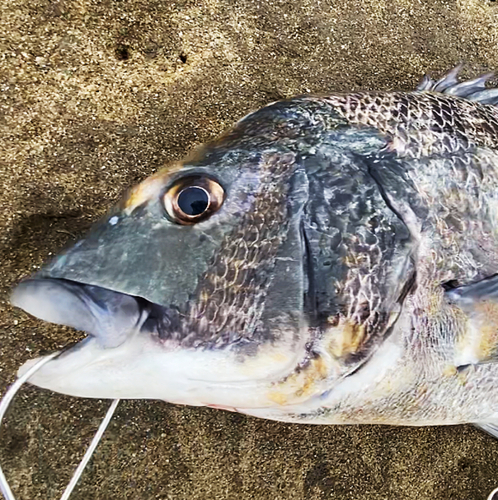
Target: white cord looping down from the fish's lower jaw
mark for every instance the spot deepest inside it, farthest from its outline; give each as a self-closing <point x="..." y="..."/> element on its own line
<point x="4" y="404"/>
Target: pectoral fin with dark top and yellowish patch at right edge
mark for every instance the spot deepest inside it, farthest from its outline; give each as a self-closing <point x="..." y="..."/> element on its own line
<point x="478" y="341"/>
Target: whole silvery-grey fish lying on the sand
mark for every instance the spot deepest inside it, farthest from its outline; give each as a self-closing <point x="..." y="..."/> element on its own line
<point x="331" y="259"/>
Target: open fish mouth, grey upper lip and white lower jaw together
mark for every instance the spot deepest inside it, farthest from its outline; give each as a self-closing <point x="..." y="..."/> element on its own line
<point x="124" y="357"/>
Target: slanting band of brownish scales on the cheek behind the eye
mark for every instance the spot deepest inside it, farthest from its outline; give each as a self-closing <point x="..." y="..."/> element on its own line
<point x="233" y="301"/>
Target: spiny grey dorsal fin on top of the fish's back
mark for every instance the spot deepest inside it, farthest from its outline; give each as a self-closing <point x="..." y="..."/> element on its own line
<point x="473" y="90"/>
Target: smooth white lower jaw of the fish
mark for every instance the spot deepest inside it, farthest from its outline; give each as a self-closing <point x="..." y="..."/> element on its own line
<point x="144" y="368"/>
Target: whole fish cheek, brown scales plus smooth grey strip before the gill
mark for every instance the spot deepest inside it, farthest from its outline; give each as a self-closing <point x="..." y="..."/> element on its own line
<point x="255" y="276"/>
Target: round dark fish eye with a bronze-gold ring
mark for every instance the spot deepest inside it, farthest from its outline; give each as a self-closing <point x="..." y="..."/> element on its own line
<point x="193" y="199"/>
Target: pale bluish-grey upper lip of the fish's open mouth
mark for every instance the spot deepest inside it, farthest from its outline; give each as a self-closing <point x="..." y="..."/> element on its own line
<point x="108" y="316"/>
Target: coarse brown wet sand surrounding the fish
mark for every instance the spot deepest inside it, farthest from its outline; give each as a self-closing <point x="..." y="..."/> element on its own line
<point x="96" y="95"/>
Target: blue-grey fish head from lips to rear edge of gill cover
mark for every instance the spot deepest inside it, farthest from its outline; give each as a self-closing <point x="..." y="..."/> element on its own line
<point x="234" y="278"/>
